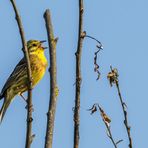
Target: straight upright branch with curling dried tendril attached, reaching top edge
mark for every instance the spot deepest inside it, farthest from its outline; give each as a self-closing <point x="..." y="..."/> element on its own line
<point x="78" y="76"/>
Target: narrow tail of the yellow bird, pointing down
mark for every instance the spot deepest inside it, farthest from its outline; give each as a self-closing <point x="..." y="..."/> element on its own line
<point x="4" y="108"/>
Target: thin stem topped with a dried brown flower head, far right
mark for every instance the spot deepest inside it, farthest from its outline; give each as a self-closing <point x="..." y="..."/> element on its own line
<point x="113" y="78"/>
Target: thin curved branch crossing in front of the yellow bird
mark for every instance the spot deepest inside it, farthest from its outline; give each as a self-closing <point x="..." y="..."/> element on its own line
<point x="29" y="136"/>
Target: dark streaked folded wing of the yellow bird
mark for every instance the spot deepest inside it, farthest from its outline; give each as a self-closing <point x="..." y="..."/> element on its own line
<point x="17" y="73"/>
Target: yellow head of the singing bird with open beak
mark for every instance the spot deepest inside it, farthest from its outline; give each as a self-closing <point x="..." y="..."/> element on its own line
<point x="35" y="46"/>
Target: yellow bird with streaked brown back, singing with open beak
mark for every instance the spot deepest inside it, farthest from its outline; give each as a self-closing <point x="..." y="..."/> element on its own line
<point x="17" y="82"/>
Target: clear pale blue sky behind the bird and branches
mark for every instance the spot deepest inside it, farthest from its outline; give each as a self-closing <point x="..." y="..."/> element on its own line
<point x="121" y="26"/>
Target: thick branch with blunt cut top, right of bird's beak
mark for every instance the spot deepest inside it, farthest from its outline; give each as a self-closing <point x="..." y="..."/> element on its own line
<point x="53" y="80"/>
